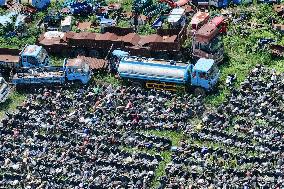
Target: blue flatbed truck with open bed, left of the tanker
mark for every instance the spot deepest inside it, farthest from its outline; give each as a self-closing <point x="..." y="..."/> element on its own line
<point x="70" y="71"/>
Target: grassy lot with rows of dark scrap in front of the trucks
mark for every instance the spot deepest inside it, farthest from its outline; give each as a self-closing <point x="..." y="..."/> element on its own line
<point x="102" y="135"/>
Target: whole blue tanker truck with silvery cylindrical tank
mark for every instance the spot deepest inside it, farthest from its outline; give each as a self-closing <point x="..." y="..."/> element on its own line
<point x="168" y="74"/>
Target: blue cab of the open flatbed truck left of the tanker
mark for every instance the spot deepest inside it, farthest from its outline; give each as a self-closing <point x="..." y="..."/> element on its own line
<point x="77" y="70"/>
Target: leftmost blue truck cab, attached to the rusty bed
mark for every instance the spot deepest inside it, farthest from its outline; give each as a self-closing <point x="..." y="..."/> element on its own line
<point x="34" y="56"/>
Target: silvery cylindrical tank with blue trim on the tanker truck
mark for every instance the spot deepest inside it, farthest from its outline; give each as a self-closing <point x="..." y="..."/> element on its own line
<point x="150" y="69"/>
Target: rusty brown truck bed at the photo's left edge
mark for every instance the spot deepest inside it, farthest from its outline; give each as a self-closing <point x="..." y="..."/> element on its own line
<point x="9" y="57"/>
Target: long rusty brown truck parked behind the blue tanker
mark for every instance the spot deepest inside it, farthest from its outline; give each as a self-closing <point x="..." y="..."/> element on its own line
<point x="165" y="44"/>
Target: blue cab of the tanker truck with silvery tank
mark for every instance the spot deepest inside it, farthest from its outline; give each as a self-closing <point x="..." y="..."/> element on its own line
<point x="204" y="74"/>
